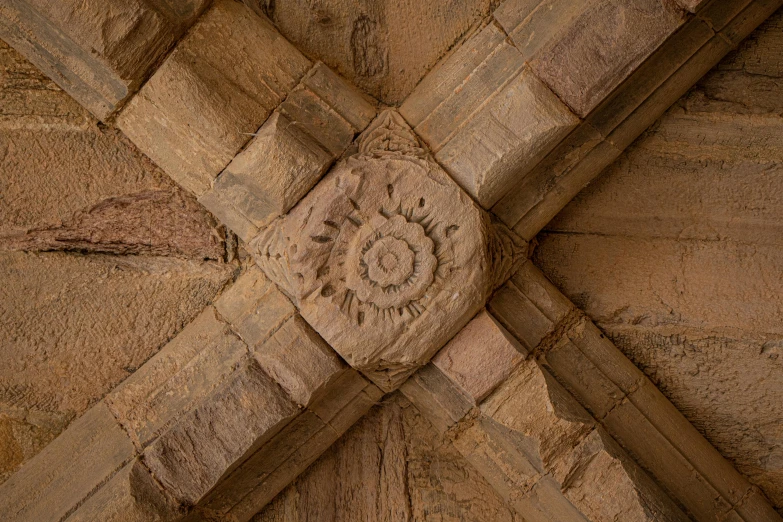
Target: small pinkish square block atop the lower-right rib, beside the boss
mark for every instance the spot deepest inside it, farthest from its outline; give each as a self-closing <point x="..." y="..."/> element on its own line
<point x="480" y="357"/>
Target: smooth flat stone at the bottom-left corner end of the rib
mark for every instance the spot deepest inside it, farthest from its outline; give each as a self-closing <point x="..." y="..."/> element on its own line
<point x="67" y="470"/>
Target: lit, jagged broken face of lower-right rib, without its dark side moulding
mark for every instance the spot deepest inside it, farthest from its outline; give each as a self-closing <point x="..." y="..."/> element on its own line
<point x="528" y="436"/>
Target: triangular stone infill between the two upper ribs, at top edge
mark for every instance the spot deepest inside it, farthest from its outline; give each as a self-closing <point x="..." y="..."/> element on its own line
<point x="384" y="47"/>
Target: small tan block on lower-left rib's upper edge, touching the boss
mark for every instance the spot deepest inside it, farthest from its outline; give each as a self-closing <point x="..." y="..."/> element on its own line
<point x="254" y="307"/>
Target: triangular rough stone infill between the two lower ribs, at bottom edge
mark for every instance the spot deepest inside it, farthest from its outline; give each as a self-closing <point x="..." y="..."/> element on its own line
<point x="391" y="466"/>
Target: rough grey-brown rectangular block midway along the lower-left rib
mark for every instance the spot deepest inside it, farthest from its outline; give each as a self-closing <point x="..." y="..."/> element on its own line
<point x="219" y="434"/>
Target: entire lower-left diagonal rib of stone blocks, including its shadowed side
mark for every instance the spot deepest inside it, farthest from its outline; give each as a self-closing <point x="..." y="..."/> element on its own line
<point x="218" y="422"/>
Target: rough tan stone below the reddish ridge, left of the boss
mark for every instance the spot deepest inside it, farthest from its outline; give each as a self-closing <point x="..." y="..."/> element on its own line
<point x="76" y="326"/>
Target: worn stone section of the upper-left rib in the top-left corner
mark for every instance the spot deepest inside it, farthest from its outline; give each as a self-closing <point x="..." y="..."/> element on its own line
<point x="98" y="51"/>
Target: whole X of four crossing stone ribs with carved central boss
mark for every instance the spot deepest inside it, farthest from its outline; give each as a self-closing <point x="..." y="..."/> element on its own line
<point x="387" y="240"/>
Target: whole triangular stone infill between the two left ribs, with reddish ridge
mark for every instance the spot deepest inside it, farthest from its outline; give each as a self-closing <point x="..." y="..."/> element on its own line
<point x="102" y="260"/>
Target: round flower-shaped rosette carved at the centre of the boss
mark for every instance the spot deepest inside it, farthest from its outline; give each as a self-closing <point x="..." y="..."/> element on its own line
<point x="391" y="262"/>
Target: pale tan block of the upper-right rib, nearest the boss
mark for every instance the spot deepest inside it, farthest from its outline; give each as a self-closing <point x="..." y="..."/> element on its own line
<point x="506" y="138"/>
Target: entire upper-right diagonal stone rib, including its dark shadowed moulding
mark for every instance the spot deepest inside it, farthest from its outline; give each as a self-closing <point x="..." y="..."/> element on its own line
<point x="534" y="105"/>
